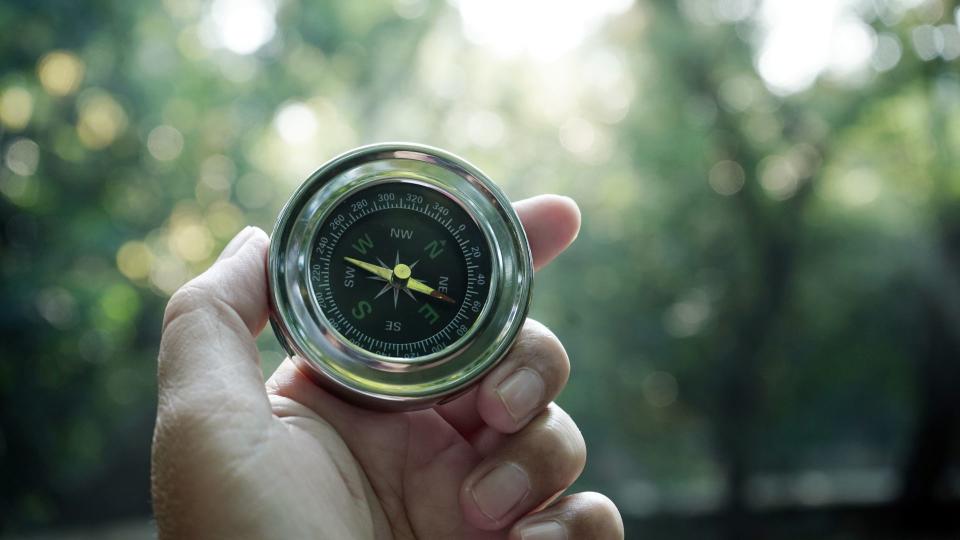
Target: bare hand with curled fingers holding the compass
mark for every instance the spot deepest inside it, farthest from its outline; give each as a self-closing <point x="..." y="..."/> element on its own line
<point x="234" y="457"/>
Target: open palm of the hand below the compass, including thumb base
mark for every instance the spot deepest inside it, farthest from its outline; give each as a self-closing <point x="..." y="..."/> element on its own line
<point x="381" y="475"/>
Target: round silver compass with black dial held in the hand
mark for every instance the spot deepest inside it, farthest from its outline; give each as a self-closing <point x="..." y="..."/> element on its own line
<point x="399" y="274"/>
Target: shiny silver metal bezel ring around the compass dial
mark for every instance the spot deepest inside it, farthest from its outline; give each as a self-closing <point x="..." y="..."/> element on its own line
<point x="351" y="371"/>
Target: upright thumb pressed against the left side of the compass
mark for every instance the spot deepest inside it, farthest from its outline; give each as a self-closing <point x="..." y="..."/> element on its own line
<point x="208" y="361"/>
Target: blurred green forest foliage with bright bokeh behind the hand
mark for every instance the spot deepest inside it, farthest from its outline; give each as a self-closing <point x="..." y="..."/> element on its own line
<point x="763" y="306"/>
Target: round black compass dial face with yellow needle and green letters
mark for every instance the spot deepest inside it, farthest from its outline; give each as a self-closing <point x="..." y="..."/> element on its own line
<point x="400" y="269"/>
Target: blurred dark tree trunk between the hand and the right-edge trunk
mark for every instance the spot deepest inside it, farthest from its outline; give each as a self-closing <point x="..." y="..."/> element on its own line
<point x="752" y="310"/>
